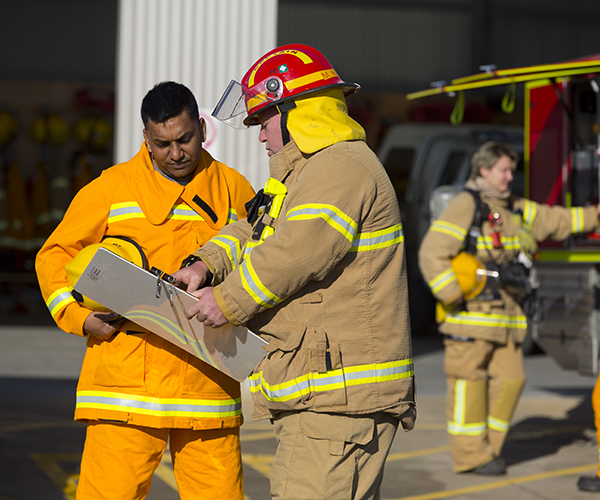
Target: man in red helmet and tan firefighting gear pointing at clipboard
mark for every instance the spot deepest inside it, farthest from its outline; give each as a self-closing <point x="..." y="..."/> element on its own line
<point x="319" y="272"/>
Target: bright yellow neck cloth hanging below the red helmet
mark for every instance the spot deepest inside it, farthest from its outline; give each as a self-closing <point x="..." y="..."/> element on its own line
<point x="320" y="120"/>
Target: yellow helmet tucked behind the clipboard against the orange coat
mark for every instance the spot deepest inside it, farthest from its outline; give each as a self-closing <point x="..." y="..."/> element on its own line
<point x="120" y="245"/>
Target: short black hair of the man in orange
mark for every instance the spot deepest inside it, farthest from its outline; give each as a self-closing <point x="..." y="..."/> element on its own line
<point x="166" y="100"/>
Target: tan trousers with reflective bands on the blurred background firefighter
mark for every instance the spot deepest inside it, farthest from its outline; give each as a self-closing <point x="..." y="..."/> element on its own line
<point x="484" y="380"/>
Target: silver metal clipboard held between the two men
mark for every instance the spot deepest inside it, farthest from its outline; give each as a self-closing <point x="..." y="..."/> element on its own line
<point x="149" y="299"/>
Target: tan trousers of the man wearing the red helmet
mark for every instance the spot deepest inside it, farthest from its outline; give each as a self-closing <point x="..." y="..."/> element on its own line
<point x="330" y="457"/>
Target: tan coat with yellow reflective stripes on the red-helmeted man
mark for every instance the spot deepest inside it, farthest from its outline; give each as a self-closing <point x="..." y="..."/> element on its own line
<point x="327" y="290"/>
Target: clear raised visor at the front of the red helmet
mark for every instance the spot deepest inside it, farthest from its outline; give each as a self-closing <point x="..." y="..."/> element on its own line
<point x="238" y="101"/>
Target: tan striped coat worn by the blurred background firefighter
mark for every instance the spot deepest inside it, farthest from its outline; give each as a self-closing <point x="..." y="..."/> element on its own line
<point x="490" y="320"/>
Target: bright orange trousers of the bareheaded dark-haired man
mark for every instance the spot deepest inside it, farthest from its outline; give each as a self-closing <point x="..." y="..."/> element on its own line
<point x="119" y="460"/>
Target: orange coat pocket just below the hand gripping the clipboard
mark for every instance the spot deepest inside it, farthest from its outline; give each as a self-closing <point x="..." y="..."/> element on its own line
<point x="122" y="362"/>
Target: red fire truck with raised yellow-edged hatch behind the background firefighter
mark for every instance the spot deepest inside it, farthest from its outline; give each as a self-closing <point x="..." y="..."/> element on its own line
<point x="561" y="163"/>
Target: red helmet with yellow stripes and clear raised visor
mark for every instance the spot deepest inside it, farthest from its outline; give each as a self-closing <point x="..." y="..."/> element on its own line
<point x="278" y="76"/>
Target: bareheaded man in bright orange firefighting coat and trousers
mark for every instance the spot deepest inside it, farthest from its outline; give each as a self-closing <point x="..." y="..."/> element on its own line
<point x="137" y="391"/>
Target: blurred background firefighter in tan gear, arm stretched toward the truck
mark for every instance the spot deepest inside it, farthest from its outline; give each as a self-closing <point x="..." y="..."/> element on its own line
<point x="469" y="258"/>
